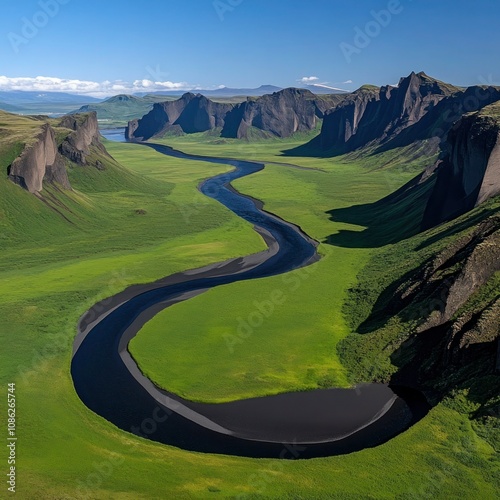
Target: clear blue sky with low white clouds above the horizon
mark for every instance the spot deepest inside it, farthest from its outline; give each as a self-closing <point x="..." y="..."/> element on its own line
<point x="104" y="47"/>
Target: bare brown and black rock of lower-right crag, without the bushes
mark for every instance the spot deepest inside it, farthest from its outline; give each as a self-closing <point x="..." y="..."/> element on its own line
<point x="455" y="304"/>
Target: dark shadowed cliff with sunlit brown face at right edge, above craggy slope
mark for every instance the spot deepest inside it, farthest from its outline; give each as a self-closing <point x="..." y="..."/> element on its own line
<point x="469" y="172"/>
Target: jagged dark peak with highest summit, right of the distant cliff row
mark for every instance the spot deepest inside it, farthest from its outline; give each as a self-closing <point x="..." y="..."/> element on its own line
<point x="373" y="115"/>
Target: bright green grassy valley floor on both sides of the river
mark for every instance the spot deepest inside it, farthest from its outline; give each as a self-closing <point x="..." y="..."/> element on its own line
<point x="159" y="224"/>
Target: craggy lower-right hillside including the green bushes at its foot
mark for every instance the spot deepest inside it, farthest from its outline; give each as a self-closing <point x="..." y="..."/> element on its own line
<point x="437" y="327"/>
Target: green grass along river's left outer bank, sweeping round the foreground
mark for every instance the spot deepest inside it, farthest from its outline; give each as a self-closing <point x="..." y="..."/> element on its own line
<point x="68" y="452"/>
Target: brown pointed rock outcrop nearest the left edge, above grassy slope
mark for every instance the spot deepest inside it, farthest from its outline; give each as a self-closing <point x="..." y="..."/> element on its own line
<point x="40" y="161"/>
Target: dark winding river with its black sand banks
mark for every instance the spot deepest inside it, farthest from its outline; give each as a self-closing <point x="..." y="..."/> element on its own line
<point x="309" y="424"/>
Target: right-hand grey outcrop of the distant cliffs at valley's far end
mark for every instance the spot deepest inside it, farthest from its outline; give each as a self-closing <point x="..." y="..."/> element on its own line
<point x="280" y="114"/>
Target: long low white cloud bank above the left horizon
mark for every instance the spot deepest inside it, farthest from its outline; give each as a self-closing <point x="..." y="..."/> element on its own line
<point x="85" y="87"/>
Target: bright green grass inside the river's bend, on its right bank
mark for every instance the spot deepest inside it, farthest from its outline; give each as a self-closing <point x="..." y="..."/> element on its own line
<point x="271" y="358"/>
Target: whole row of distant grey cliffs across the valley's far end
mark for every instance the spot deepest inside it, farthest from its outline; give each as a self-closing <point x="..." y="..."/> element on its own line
<point x="279" y="114"/>
